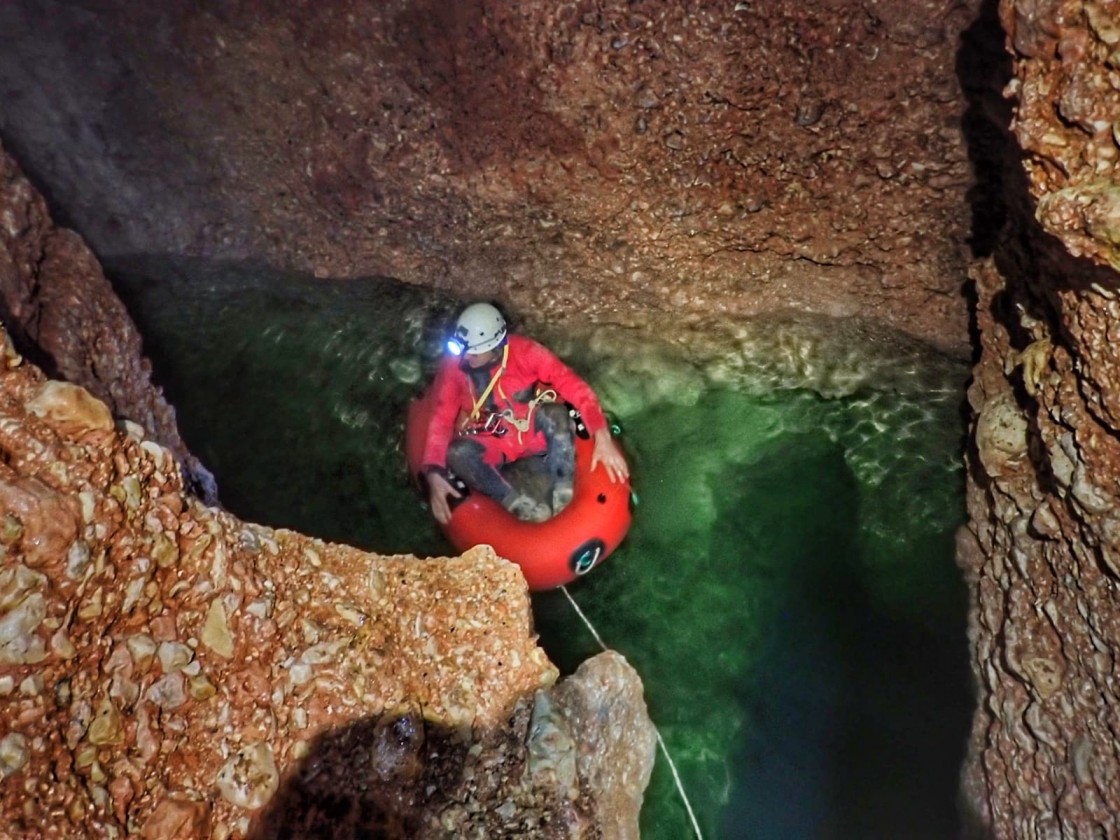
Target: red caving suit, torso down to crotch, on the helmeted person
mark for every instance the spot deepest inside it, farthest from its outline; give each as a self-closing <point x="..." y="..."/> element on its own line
<point x="529" y="369"/>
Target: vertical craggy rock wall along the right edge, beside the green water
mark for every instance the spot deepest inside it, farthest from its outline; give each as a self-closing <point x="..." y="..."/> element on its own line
<point x="1043" y="549"/>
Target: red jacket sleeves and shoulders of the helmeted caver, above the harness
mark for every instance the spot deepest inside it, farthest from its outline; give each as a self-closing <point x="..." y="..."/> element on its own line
<point x="529" y="365"/>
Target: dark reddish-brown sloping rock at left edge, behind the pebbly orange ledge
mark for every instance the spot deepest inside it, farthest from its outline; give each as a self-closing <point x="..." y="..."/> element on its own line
<point x="63" y="313"/>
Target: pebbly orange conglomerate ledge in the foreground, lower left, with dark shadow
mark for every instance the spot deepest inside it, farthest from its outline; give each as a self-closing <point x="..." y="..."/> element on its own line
<point x="167" y="671"/>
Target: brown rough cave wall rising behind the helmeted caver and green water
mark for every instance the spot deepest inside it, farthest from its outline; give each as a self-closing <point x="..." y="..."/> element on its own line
<point x="648" y="163"/>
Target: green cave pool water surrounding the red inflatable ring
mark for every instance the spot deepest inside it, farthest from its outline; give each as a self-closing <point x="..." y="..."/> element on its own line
<point x="788" y="591"/>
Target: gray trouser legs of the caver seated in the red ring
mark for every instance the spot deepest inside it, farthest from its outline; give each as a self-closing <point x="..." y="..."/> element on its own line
<point x="465" y="456"/>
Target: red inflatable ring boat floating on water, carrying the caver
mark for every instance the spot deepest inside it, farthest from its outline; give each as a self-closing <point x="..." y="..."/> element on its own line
<point x="550" y="554"/>
